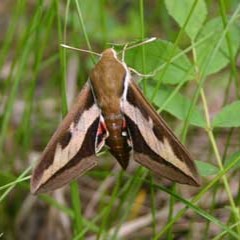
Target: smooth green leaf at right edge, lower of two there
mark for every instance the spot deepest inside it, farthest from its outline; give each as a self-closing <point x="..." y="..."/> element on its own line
<point x="229" y="116"/>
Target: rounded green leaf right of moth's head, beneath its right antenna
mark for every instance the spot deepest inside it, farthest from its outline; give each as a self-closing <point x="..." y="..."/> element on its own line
<point x="157" y="55"/>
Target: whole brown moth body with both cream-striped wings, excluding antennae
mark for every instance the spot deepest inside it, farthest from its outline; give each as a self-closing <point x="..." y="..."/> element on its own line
<point x="111" y="110"/>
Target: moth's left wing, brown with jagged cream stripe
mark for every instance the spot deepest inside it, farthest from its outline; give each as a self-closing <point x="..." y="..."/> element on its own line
<point x="71" y="150"/>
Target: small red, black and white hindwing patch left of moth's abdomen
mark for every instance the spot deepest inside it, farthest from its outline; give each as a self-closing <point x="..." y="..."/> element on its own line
<point x="102" y="134"/>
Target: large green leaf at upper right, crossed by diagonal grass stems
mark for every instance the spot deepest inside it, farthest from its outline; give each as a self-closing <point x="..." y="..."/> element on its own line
<point x="214" y="29"/>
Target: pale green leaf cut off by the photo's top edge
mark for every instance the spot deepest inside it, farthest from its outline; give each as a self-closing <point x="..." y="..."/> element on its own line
<point x="180" y="11"/>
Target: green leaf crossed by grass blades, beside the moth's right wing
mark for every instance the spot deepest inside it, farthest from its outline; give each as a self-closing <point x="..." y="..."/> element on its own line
<point x="178" y="106"/>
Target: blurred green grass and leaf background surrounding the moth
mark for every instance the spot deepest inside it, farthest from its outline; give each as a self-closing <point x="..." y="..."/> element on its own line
<point x="195" y="86"/>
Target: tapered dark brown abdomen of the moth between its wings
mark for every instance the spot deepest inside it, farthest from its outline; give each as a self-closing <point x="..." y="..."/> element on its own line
<point x="118" y="138"/>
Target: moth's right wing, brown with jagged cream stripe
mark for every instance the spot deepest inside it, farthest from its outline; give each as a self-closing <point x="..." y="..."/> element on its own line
<point x="155" y="146"/>
